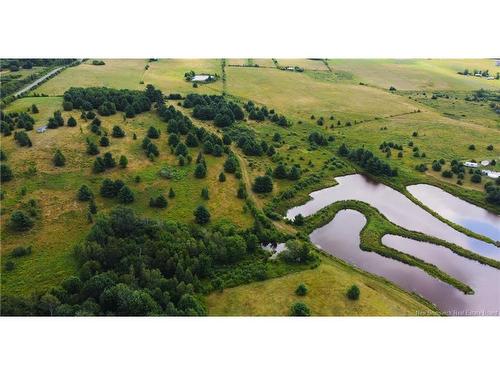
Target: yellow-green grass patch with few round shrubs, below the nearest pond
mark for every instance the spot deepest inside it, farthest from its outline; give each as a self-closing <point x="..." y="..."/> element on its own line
<point x="327" y="286"/>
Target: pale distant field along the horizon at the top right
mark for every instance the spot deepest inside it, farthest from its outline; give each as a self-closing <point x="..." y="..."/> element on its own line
<point x="422" y="74"/>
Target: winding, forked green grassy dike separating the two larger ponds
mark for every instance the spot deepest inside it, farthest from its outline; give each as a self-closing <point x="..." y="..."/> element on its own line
<point x="377" y="226"/>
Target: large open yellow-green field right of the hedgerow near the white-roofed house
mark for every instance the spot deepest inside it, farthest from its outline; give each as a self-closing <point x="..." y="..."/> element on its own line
<point x="299" y="95"/>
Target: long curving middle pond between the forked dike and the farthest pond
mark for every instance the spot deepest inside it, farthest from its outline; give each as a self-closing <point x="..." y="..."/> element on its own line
<point x="395" y="206"/>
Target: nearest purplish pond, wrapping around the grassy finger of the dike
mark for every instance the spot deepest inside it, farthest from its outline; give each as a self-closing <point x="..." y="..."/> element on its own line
<point x="340" y="238"/>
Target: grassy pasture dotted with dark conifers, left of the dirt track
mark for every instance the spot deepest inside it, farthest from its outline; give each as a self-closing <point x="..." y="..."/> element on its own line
<point x="63" y="221"/>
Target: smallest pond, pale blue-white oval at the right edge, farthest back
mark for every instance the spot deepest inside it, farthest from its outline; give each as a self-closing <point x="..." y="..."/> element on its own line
<point x="467" y="215"/>
